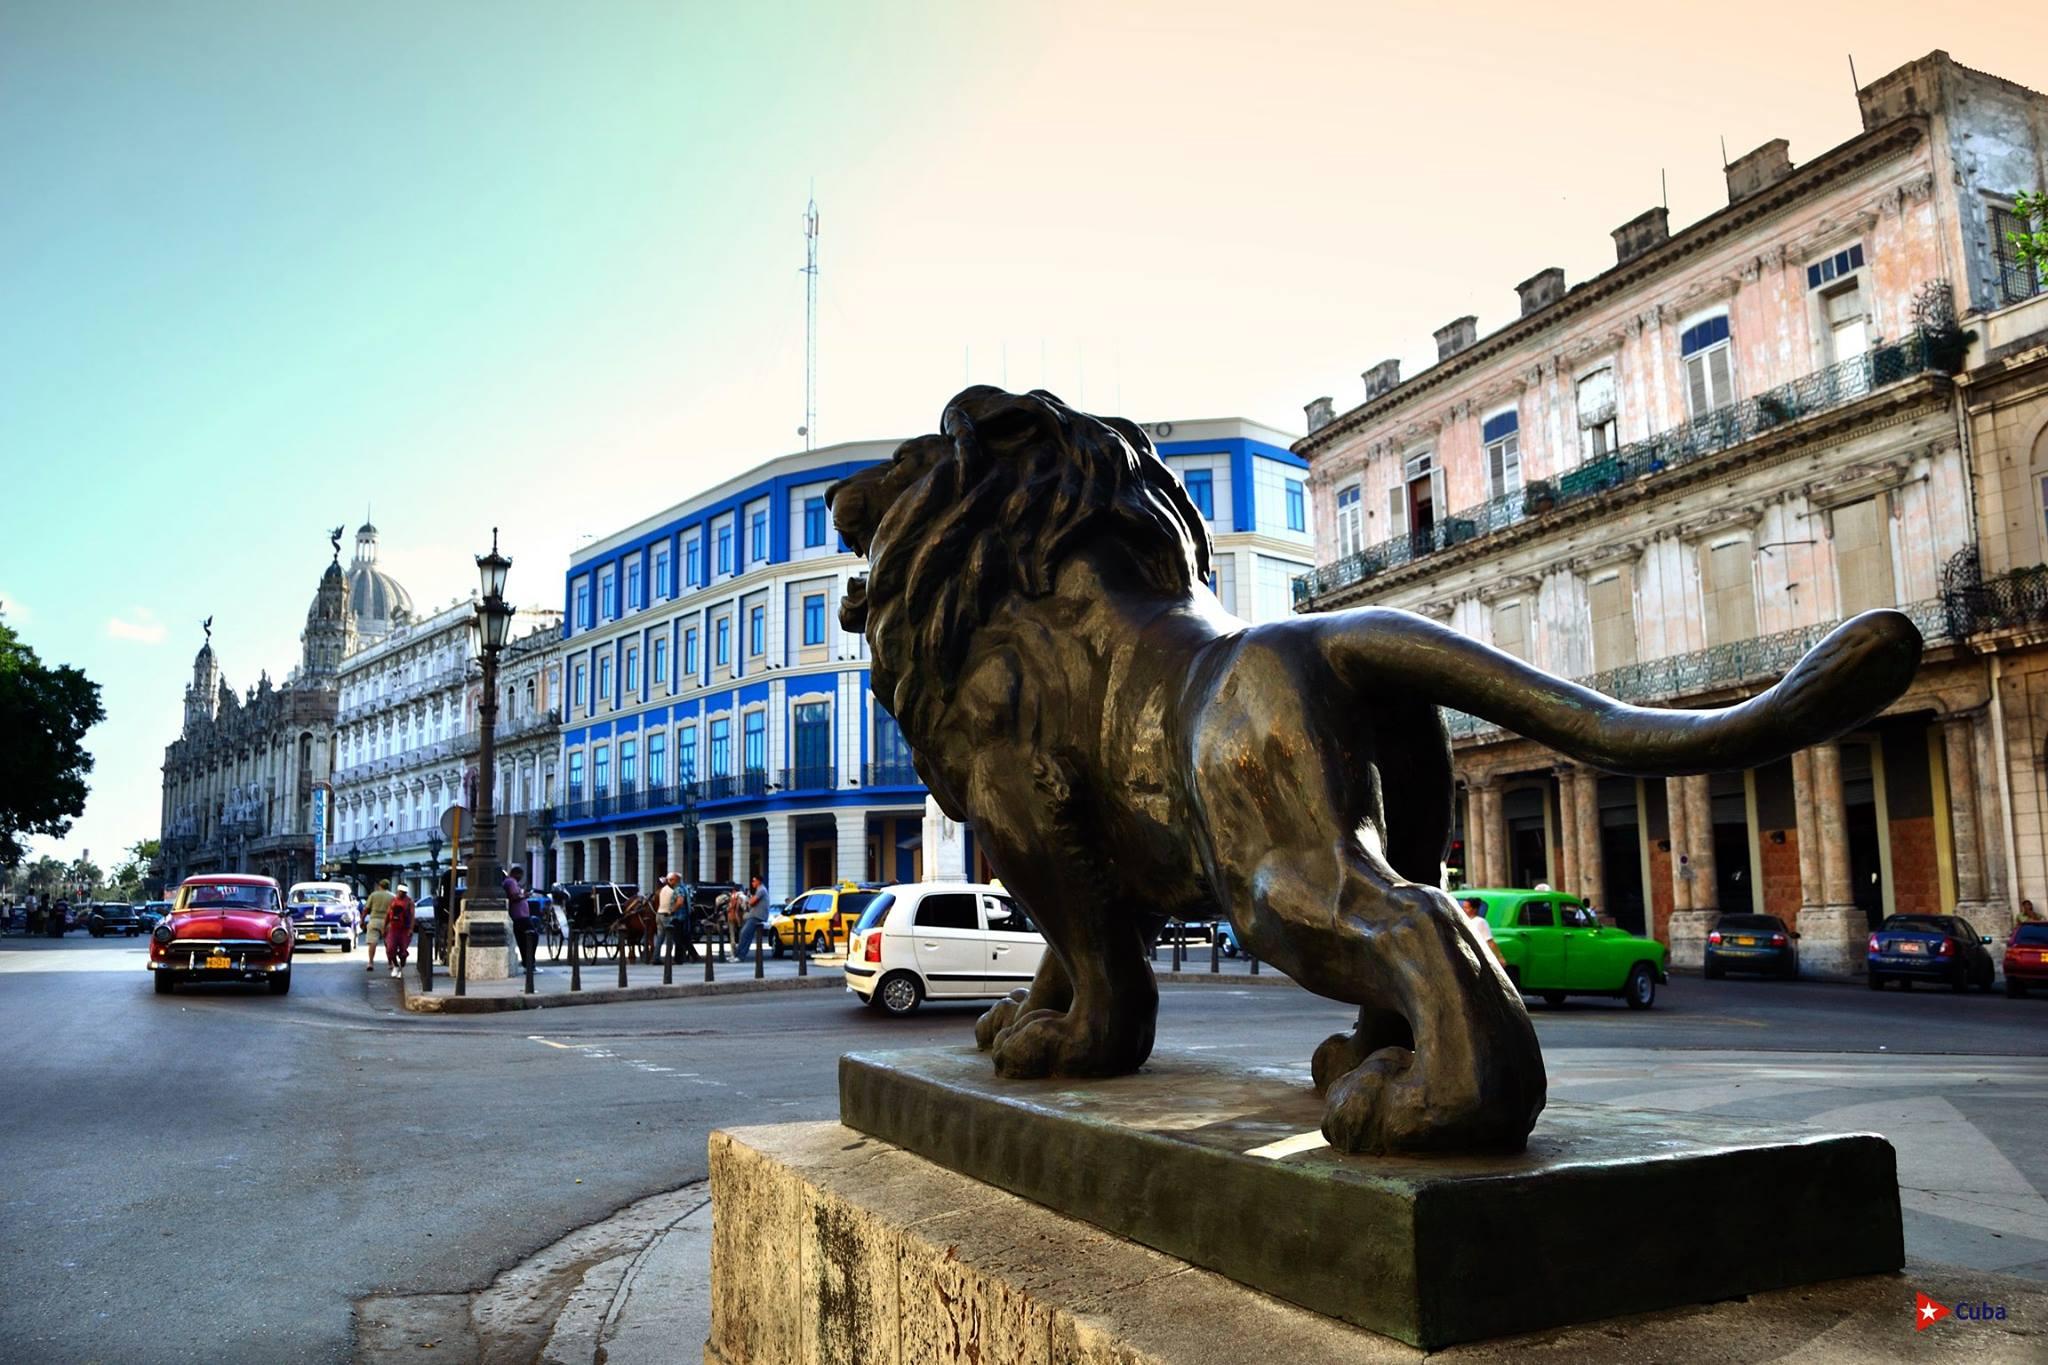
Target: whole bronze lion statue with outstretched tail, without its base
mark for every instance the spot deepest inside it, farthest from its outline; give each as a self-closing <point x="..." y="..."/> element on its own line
<point x="1129" y="752"/>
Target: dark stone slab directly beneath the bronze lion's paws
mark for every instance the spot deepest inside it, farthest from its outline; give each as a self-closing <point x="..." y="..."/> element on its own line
<point x="1607" y="1213"/>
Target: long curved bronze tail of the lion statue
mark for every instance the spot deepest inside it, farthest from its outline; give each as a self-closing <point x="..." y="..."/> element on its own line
<point x="1842" y="682"/>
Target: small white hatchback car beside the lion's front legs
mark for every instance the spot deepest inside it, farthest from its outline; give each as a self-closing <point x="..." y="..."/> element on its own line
<point x="945" y="942"/>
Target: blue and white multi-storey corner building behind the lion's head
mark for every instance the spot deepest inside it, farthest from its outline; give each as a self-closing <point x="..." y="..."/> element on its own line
<point x="720" y="723"/>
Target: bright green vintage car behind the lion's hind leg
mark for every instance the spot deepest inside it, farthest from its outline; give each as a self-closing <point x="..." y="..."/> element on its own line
<point x="1555" y="946"/>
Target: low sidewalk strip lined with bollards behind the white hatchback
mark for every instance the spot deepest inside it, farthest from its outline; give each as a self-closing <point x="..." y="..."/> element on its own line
<point x="644" y="983"/>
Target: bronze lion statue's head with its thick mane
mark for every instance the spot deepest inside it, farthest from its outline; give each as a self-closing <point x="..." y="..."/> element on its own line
<point x="988" y="511"/>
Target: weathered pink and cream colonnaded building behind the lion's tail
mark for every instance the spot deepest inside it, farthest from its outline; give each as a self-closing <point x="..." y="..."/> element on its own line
<point x="1668" y="482"/>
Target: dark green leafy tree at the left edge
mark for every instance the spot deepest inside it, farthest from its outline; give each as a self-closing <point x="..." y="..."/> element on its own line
<point x="44" y="762"/>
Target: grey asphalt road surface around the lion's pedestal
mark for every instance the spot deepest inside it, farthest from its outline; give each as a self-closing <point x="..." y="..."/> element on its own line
<point x="216" y="1176"/>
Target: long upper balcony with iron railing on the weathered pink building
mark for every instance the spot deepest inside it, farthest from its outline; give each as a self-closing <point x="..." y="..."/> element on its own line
<point x="1709" y="435"/>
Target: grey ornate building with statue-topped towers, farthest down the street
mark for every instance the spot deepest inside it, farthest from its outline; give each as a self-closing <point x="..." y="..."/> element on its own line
<point x="247" y="781"/>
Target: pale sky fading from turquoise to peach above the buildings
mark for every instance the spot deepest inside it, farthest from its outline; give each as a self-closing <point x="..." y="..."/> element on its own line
<point x="269" y="269"/>
